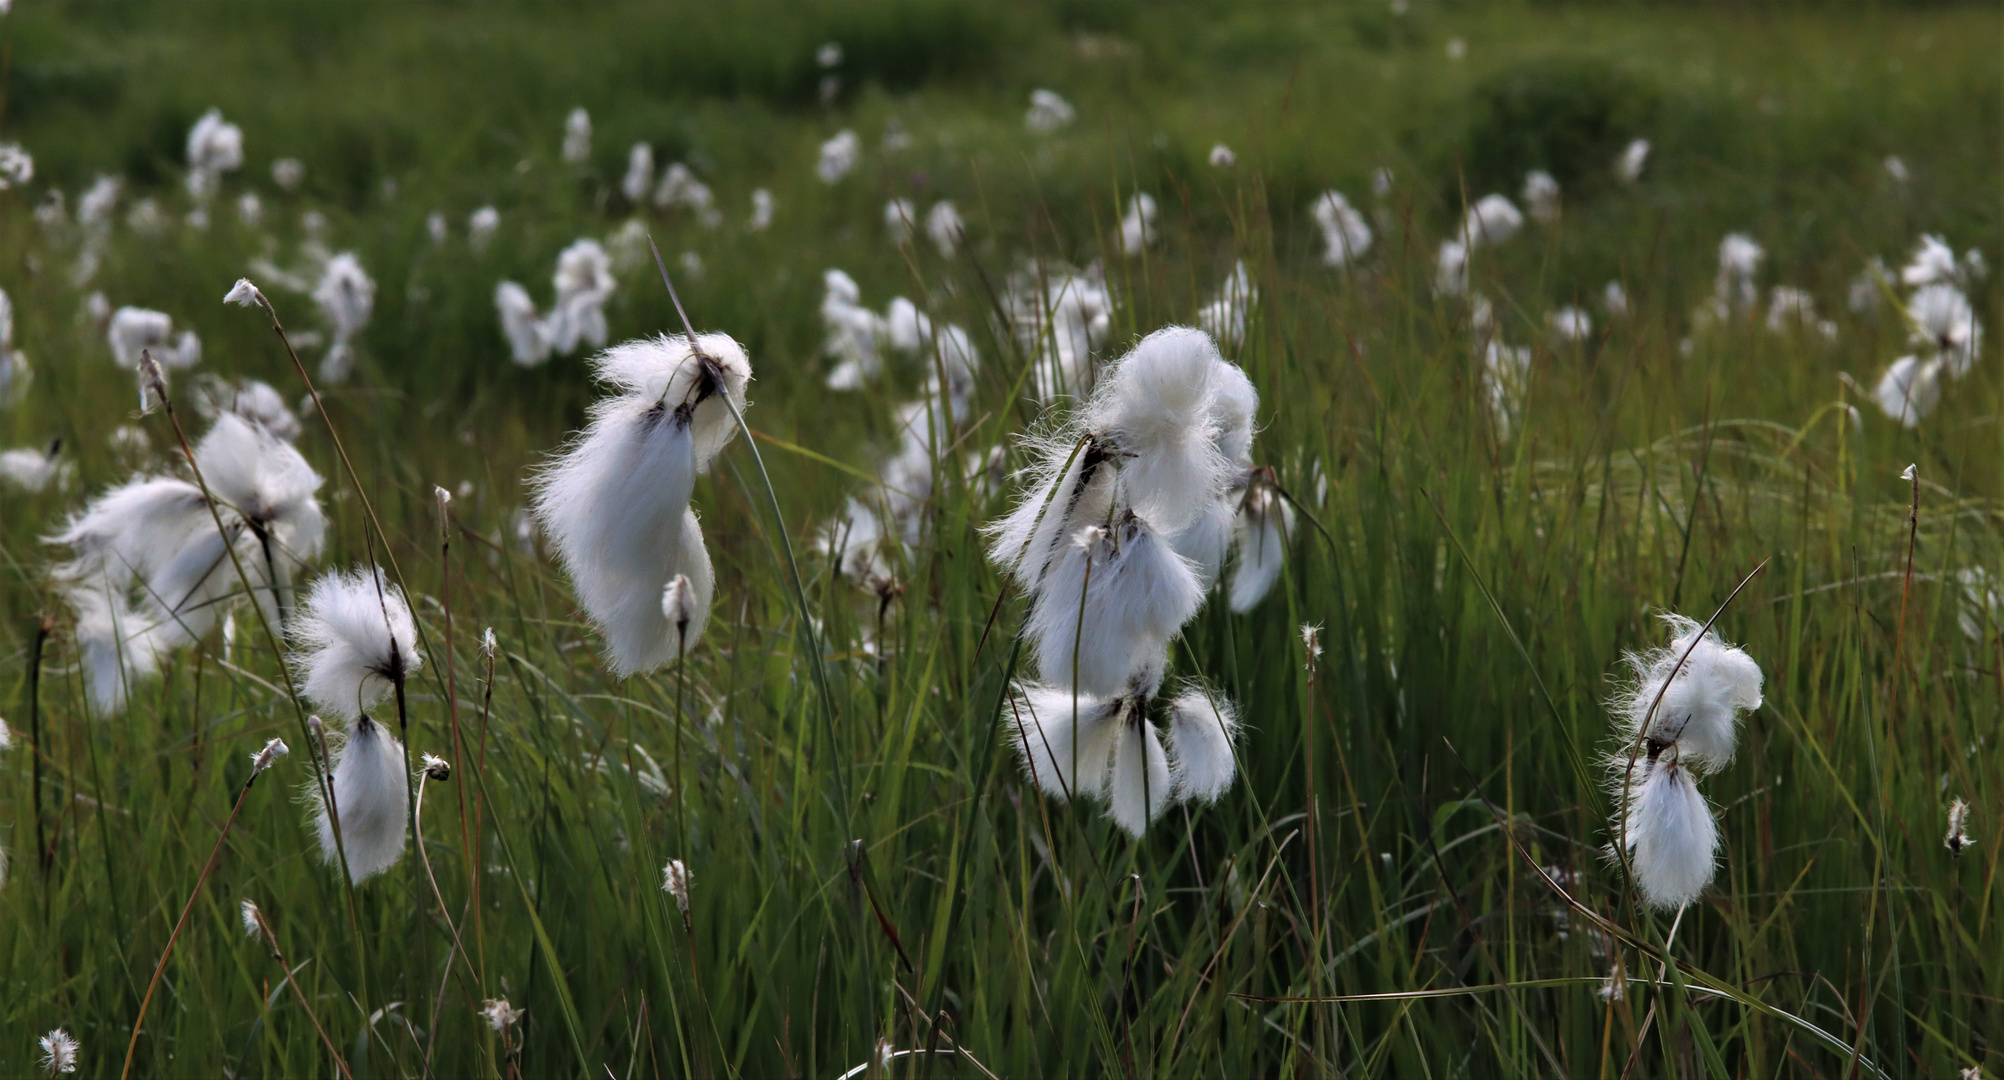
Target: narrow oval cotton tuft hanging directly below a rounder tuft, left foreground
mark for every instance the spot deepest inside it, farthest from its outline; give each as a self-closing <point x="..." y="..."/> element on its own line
<point x="372" y="798"/>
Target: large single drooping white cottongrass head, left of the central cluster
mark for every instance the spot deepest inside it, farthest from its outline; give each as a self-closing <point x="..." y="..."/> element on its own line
<point x="616" y="502"/>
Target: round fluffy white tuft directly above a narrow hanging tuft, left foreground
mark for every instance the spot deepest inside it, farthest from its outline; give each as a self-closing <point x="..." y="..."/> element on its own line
<point x="354" y="638"/>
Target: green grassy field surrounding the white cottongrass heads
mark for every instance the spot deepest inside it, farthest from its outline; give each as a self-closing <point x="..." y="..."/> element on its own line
<point x="833" y="762"/>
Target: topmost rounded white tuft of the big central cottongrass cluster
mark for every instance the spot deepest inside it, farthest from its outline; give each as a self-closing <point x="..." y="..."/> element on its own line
<point x="1155" y="408"/>
